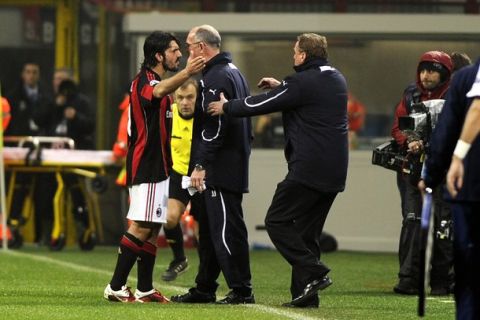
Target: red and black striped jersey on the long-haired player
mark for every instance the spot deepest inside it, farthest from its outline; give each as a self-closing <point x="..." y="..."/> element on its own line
<point x="149" y="127"/>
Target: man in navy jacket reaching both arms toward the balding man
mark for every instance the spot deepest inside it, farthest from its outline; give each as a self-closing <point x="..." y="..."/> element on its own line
<point x="313" y="102"/>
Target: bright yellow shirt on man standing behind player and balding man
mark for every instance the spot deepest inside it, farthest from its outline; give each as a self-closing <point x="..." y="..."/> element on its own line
<point x="181" y="142"/>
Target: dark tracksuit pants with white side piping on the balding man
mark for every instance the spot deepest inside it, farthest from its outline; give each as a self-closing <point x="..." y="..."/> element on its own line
<point x="223" y="243"/>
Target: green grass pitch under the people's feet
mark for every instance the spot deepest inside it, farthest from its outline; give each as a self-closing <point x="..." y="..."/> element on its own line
<point x="38" y="284"/>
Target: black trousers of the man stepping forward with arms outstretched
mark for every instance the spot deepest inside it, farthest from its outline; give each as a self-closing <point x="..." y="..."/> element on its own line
<point x="294" y="222"/>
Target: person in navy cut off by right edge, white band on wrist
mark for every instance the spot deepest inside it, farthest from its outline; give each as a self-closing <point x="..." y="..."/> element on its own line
<point x="465" y="204"/>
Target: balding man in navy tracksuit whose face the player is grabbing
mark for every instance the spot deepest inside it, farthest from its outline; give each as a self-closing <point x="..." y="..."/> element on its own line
<point x="220" y="154"/>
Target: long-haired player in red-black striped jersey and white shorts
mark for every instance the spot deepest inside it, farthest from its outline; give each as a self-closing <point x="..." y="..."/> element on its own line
<point x="148" y="163"/>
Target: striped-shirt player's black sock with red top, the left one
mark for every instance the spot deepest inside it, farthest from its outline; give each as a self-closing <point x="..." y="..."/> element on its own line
<point x="127" y="255"/>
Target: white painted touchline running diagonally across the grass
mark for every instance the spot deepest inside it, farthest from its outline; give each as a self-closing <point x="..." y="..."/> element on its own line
<point x="77" y="267"/>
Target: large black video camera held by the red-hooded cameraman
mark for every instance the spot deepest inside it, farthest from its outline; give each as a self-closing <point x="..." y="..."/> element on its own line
<point x="418" y="125"/>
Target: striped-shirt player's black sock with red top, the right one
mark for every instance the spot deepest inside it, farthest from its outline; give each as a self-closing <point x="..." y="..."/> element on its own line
<point x="145" y="265"/>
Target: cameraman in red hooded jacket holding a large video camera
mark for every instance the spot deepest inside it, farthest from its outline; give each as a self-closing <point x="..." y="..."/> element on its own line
<point x="432" y="81"/>
